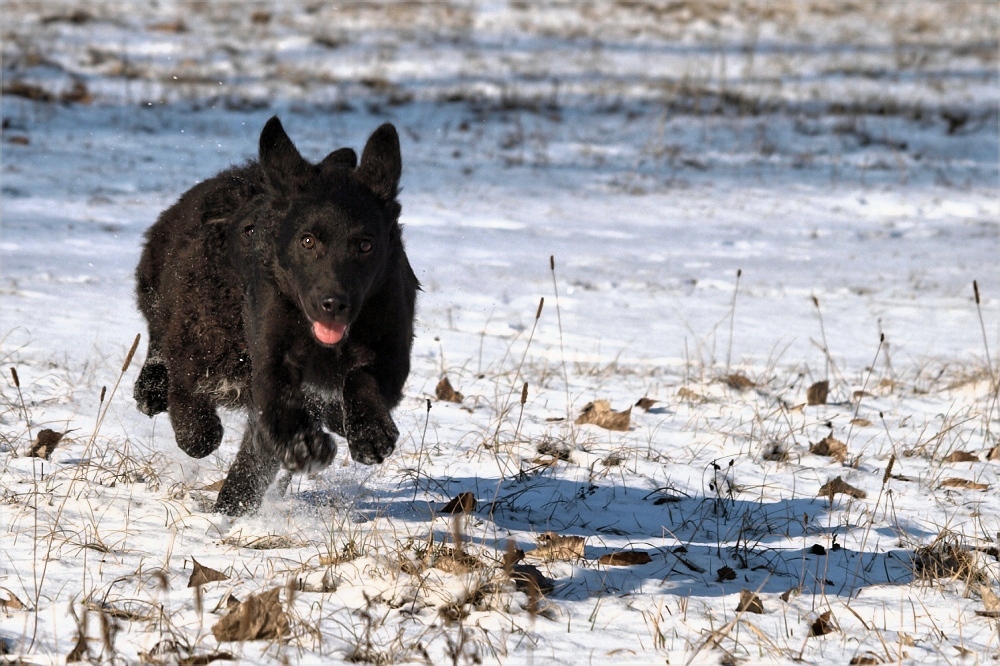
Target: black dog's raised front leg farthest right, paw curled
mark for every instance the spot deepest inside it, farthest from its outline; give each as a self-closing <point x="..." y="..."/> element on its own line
<point x="371" y="433"/>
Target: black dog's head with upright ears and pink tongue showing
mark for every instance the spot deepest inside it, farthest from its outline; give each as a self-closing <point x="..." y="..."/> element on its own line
<point x="334" y="225"/>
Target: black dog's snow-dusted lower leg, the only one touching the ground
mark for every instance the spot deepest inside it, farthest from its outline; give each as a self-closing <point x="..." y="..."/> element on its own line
<point x="251" y="473"/>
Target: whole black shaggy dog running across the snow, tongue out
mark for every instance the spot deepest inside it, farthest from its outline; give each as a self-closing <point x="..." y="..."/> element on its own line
<point x="282" y="287"/>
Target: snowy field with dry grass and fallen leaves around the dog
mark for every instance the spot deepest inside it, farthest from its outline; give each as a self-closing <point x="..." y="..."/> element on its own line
<point x="722" y="204"/>
